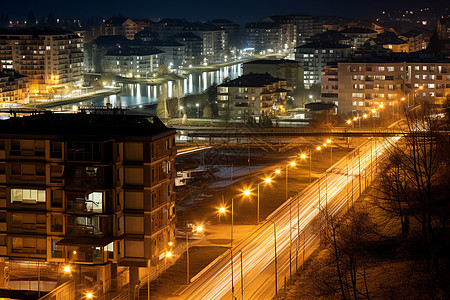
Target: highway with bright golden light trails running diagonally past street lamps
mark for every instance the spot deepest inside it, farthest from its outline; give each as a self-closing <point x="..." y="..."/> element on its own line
<point x="251" y="270"/>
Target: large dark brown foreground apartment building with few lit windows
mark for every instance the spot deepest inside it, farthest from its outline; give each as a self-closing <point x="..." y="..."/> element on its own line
<point x="93" y="191"/>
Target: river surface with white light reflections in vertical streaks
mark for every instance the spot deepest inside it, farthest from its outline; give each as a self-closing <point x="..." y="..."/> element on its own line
<point x="195" y="83"/>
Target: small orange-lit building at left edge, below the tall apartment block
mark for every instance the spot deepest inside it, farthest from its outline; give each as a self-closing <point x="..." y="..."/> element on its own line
<point x="13" y="89"/>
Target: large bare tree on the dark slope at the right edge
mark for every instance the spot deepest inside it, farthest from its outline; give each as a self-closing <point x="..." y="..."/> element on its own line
<point x="414" y="185"/>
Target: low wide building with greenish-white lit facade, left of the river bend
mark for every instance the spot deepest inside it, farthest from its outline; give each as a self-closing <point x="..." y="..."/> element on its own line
<point x="133" y="62"/>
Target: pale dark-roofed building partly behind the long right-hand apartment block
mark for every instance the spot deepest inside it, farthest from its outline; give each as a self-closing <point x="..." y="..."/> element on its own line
<point x="313" y="57"/>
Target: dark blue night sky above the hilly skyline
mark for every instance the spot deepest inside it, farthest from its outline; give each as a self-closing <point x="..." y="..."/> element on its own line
<point x="236" y="10"/>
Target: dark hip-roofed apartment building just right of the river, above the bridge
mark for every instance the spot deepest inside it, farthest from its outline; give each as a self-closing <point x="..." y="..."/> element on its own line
<point x="251" y="95"/>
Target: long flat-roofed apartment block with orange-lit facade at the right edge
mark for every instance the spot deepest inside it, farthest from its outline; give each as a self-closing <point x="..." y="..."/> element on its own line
<point x="365" y="83"/>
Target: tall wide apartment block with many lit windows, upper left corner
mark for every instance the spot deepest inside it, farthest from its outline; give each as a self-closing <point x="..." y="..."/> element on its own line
<point x="49" y="57"/>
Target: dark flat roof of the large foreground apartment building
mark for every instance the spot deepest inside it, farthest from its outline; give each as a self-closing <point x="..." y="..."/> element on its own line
<point x="84" y="126"/>
